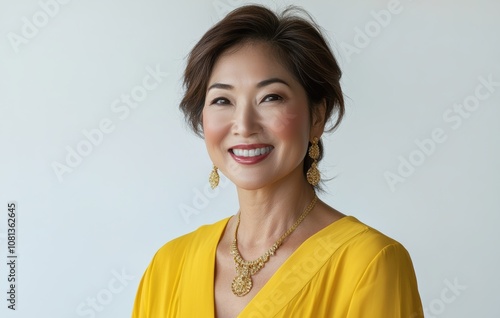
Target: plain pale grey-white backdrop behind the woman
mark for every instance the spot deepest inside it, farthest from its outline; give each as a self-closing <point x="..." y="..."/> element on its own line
<point x="131" y="192"/>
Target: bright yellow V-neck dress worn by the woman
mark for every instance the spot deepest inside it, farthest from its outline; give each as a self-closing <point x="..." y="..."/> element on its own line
<point x="346" y="269"/>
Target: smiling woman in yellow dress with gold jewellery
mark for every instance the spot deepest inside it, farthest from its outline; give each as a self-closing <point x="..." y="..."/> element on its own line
<point x="260" y="90"/>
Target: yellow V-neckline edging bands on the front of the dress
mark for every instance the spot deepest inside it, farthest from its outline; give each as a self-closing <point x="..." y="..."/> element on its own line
<point x="313" y="239"/>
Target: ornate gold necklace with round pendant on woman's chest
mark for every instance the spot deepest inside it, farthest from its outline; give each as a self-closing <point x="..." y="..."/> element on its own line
<point x="242" y="283"/>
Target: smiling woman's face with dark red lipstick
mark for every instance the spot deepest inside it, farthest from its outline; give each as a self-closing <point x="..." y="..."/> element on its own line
<point x="256" y="119"/>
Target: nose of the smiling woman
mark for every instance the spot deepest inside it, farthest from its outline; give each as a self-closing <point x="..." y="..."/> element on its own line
<point x="246" y="120"/>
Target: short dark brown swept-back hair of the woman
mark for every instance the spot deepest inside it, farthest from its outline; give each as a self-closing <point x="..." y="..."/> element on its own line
<point x="295" y="37"/>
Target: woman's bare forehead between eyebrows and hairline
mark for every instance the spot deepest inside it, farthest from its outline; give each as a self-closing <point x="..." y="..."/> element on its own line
<point x="249" y="61"/>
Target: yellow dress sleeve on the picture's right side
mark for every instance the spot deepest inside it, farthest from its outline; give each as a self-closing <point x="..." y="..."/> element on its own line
<point x="388" y="287"/>
